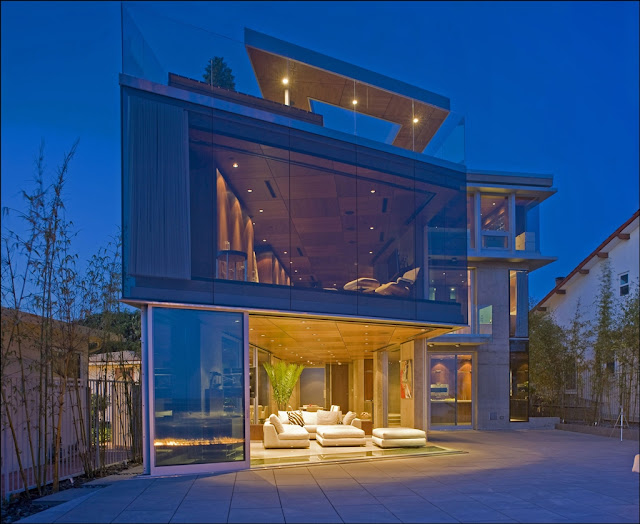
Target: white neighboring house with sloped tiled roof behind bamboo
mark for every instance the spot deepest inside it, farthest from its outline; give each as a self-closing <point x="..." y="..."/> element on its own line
<point x="620" y="250"/>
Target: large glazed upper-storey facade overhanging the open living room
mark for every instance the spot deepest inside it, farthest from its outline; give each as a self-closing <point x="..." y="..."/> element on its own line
<point x="227" y="210"/>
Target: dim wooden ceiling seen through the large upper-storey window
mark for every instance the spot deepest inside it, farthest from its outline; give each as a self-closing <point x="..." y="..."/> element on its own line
<point x="321" y="220"/>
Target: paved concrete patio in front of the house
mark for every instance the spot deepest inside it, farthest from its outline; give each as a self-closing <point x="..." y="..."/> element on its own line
<point x="510" y="476"/>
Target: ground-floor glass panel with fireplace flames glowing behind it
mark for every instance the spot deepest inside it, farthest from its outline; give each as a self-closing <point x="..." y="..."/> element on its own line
<point x="198" y="387"/>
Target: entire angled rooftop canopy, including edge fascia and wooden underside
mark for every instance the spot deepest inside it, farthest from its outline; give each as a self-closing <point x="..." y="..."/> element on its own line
<point x="312" y="76"/>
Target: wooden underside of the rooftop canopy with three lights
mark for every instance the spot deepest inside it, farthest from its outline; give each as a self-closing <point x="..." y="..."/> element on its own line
<point x="308" y="83"/>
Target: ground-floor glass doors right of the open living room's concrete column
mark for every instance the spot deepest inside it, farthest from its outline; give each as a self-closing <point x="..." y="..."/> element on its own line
<point x="451" y="390"/>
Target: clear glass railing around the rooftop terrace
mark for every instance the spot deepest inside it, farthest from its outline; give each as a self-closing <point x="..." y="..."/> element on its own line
<point x="208" y="63"/>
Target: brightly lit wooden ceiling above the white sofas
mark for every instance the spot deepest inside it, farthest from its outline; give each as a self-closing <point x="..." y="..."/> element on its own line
<point x="317" y="341"/>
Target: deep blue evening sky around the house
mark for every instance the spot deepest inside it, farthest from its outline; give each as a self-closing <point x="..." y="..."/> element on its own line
<point x="545" y="87"/>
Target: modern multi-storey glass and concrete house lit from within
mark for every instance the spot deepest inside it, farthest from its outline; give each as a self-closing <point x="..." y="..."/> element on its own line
<point x="328" y="219"/>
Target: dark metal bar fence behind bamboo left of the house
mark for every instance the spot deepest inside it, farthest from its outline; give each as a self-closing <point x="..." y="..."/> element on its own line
<point x="100" y="425"/>
